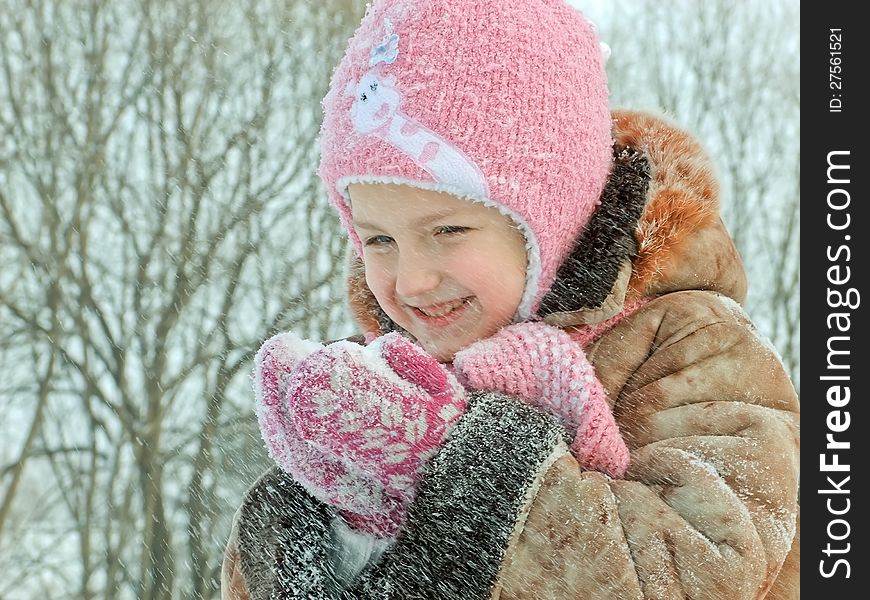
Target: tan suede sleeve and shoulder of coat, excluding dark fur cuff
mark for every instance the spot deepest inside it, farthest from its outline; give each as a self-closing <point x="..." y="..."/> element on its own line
<point x="707" y="508"/>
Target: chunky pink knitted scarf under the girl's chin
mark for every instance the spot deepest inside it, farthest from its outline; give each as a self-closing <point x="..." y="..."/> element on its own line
<point x="543" y="366"/>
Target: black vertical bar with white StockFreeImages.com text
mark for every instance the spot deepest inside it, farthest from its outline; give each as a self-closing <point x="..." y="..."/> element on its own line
<point x="835" y="362"/>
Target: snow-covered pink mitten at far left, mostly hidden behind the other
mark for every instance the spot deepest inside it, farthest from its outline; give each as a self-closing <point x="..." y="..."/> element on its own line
<point x="326" y="477"/>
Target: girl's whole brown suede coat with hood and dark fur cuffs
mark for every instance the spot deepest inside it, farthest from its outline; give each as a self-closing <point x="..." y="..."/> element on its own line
<point x="708" y="508"/>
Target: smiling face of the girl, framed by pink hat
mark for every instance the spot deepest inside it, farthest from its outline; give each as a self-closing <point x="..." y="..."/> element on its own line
<point x="447" y="270"/>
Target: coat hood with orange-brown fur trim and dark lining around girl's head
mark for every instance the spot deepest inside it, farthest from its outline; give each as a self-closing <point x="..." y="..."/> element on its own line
<point x="657" y="230"/>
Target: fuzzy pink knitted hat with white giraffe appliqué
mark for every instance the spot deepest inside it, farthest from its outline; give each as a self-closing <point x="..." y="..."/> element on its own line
<point x="498" y="101"/>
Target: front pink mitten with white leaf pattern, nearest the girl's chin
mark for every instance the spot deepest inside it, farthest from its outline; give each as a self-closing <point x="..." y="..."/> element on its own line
<point x="383" y="409"/>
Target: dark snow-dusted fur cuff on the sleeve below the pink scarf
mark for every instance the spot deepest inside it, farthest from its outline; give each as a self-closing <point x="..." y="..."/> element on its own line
<point x="470" y="499"/>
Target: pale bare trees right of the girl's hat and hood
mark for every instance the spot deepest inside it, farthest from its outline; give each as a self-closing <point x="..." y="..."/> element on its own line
<point x="729" y="72"/>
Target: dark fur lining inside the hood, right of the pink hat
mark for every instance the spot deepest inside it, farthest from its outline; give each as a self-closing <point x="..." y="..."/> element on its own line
<point x="594" y="275"/>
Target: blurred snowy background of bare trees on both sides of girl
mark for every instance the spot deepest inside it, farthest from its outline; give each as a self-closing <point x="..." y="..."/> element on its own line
<point x="160" y="216"/>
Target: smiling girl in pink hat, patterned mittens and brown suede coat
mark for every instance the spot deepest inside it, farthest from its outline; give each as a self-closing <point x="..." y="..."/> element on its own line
<point x="523" y="260"/>
